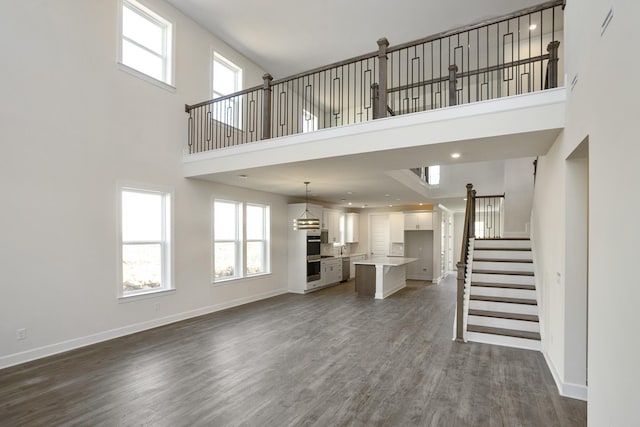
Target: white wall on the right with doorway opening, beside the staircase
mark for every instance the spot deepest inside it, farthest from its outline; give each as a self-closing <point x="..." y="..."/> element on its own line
<point x="602" y="108"/>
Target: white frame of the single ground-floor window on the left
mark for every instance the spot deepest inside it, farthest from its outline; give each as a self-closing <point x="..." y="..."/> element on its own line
<point x="166" y="242"/>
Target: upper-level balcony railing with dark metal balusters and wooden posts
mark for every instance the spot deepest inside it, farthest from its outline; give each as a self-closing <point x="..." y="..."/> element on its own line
<point x="510" y="55"/>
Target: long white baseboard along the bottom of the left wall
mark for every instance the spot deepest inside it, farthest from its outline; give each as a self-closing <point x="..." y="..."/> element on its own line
<point x="50" y="350"/>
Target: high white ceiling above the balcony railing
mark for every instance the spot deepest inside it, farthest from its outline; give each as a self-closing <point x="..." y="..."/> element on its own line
<point x="285" y="37"/>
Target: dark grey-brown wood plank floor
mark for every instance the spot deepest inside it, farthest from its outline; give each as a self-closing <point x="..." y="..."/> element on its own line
<point x="329" y="358"/>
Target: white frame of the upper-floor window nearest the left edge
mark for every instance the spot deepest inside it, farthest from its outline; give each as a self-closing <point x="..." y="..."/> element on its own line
<point x="167" y="78"/>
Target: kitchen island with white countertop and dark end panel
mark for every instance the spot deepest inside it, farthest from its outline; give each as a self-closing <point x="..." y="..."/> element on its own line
<point x="381" y="276"/>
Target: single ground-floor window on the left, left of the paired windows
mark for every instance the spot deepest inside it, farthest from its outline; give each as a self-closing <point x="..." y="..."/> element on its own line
<point x="145" y="241"/>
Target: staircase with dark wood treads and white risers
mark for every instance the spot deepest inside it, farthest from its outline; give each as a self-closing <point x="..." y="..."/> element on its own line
<point x="502" y="299"/>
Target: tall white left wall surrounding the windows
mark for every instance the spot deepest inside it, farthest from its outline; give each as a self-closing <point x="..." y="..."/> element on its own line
<point x="73" y="126"/>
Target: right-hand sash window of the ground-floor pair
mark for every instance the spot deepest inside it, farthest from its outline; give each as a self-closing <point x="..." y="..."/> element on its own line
<point x="257" y="226"/>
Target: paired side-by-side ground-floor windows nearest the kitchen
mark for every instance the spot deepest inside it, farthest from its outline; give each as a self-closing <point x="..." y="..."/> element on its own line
<point x="241" y="247"/>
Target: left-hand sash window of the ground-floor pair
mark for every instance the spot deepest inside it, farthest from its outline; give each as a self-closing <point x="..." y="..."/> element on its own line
<point x="227" y="246"/>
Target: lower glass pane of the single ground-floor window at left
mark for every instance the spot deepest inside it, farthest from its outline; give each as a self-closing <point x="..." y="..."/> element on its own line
<point x="141" y="267"/>
